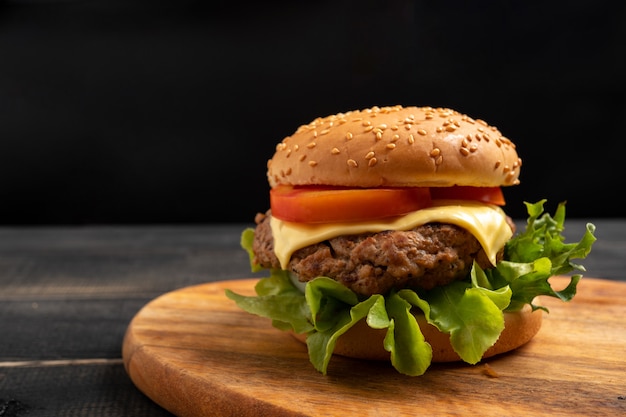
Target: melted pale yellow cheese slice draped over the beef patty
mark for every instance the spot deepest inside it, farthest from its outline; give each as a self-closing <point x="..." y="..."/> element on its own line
<point x="486" y="222"/>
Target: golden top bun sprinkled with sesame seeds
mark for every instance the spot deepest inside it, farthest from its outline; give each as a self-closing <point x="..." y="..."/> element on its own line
<point x="396" y="146"/>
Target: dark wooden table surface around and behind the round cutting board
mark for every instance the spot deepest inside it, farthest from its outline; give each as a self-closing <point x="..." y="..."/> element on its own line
<point x="67" y="295"/>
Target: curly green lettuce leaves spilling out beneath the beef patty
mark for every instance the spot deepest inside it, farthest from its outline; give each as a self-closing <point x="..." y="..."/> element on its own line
<point x="470" y="311"/>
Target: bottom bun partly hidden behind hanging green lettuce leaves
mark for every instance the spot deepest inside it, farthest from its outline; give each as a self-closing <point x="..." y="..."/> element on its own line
<point x="363" y="342"/>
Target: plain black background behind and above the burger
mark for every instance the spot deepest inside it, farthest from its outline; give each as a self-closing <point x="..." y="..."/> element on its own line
<point x="166" y="112"/>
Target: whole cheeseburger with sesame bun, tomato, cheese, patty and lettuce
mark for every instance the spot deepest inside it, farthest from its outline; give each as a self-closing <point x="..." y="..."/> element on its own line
<point x="386" y="239"/>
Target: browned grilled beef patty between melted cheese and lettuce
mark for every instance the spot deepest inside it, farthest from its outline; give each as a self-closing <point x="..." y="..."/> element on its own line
<point x="373" y="263"/>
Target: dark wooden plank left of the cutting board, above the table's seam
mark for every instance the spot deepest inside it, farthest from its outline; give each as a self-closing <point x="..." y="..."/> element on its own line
<point x="69" y="292"/>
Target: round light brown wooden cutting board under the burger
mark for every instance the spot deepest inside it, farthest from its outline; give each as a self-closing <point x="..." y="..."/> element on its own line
<point x="194" y="352"/>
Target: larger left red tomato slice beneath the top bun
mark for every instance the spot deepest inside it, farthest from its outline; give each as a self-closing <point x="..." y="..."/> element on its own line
<point x="312" y="204"/>
